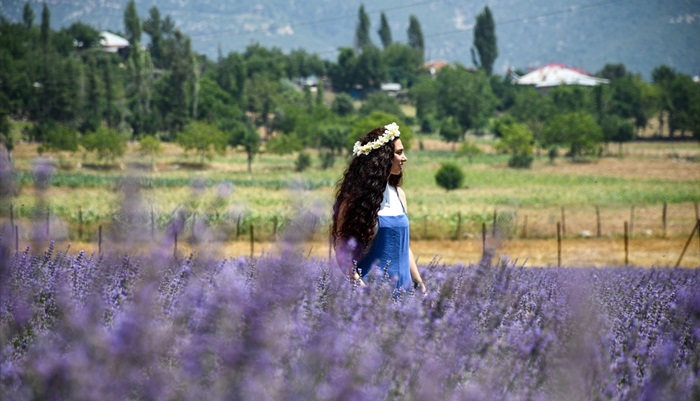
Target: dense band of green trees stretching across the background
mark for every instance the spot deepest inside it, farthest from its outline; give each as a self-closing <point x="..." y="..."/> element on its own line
<point x="74" y="94"/>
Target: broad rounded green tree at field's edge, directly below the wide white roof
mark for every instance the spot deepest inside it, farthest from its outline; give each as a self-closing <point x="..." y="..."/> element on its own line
<point x="578" y="131"/>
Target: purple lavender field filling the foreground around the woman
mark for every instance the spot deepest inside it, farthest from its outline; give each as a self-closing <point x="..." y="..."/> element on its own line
<point x="135" y="327"/>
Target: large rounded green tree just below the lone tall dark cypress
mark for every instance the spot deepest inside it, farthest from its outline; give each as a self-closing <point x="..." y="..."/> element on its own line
<point x="465" y="96"/>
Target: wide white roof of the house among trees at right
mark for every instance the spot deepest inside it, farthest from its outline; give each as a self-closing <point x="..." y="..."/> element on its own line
<point x="555" y="74"/>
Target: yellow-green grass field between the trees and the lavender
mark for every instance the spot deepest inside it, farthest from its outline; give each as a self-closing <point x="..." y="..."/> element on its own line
<point x="647" y="176"/>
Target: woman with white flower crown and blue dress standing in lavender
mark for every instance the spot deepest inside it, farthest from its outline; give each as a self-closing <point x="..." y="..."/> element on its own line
<point x="370" y="217"/>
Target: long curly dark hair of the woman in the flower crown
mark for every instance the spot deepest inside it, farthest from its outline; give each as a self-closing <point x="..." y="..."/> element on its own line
<point x="360" y="192"/>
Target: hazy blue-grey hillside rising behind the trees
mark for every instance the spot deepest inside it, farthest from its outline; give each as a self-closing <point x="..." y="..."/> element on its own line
<point x="641" y="34"/>
